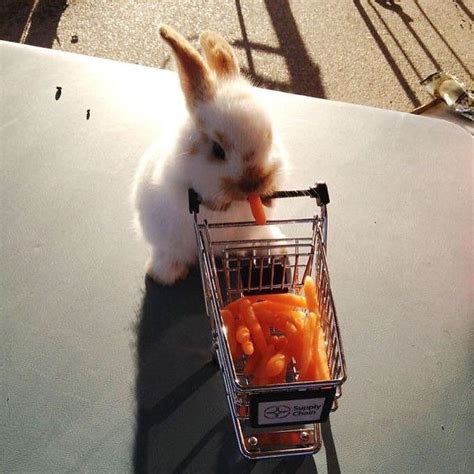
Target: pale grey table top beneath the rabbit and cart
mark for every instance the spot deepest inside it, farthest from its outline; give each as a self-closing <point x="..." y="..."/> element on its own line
<point x="103" y="370"/>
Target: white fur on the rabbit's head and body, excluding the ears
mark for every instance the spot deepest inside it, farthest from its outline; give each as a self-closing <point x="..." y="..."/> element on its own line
<point x="167" y="170"/>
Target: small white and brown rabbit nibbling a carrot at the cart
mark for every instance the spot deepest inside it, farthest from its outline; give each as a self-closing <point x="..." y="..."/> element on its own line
<point x="224" y="147"/>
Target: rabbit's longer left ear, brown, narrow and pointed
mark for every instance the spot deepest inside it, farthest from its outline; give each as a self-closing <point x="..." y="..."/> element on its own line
<point x="195" y="76"/>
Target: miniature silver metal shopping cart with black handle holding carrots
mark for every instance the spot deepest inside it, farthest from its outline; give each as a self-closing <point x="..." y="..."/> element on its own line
<point x="280" y="419"/>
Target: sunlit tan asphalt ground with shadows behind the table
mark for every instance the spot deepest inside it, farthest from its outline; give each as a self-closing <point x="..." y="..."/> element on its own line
<point x="370" y="52"/>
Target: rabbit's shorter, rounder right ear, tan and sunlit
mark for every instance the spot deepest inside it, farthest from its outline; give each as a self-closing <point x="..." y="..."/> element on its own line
<point x="219" y="55"/>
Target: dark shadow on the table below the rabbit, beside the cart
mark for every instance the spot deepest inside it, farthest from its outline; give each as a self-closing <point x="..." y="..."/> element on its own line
<point x="174" y="372"/>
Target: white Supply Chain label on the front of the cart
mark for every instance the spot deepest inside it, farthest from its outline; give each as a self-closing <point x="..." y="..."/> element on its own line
<point x="290" y="411"/>
